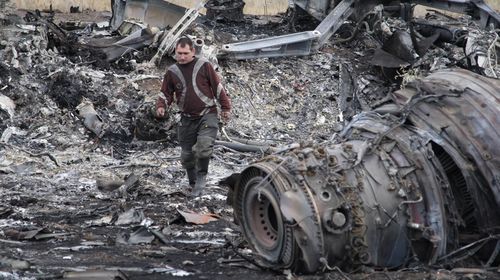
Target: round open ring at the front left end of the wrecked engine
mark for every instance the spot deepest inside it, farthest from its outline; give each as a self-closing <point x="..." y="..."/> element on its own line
<point x="260" y="216"/>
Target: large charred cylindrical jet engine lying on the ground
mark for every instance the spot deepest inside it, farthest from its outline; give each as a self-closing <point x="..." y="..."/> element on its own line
<point x="388" y="189"/>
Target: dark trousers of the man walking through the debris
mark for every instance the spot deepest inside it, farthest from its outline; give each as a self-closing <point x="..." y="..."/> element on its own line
<point x="196" y="138"/>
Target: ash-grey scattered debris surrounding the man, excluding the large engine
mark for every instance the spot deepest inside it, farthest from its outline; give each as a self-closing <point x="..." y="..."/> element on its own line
<point x="91" y="179"/>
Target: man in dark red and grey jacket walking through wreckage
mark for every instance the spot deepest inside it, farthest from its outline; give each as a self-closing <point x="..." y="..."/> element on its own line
<point x="194" y="85"/>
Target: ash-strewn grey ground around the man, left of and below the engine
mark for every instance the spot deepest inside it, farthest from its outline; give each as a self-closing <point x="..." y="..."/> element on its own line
<point x="60" y="215"/>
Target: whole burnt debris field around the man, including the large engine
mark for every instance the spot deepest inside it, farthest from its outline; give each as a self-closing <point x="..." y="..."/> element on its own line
<point x="376" y="156"/>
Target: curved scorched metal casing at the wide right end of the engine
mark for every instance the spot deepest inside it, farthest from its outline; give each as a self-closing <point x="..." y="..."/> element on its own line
<point x="463" y="108"/>
